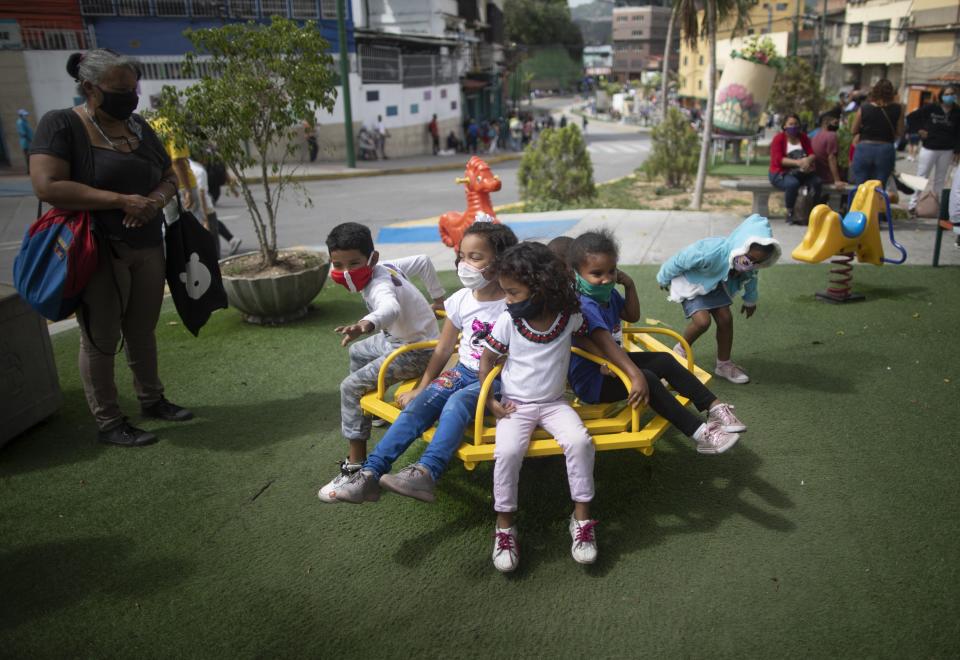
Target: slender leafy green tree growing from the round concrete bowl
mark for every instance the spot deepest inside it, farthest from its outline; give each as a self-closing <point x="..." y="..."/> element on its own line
<point x="261" y="81"/>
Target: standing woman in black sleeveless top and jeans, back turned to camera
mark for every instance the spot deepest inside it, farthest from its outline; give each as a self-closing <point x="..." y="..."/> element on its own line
<point x="876" y="129"/>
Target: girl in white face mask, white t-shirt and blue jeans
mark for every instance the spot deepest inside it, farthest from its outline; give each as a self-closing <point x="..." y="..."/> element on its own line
<point x="451" y="396"/>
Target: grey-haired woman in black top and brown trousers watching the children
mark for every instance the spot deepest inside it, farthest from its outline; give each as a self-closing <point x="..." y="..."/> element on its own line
<point x="102" y="158"/>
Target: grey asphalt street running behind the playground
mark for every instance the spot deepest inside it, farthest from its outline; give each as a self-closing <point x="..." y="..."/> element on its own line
<point x="376" y="201"/>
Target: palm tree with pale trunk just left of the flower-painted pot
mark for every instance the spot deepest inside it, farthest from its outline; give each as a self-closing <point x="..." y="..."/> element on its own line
<point x="691" y="29"/>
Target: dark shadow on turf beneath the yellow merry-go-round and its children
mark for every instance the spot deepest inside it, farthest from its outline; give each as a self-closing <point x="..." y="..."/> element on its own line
<point x="641" y="502"/>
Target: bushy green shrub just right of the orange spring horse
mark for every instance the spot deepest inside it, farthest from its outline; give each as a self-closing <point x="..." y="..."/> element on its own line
<point x="556" y="170"/>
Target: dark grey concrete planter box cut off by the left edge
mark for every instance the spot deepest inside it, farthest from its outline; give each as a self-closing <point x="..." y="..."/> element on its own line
<point x="29" y="388"/>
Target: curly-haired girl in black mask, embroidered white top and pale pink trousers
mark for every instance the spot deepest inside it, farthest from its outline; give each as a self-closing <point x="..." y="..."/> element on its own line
<point x="534" y="335"/>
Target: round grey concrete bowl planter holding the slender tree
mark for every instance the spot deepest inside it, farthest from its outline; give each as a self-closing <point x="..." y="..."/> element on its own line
<point x="278" y="298"/>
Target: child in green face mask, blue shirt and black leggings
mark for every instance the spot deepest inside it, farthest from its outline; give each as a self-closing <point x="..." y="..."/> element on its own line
<point x="593" y="257"/>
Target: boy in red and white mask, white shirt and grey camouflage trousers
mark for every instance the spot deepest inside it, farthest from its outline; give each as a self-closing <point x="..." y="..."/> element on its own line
<point x="398" y="314"/>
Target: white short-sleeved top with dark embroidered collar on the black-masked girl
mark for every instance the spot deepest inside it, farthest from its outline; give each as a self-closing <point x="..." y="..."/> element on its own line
<point x="536" y="367"/>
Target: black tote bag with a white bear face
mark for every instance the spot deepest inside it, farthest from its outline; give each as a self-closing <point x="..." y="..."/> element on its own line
<point x="193" y="272"/>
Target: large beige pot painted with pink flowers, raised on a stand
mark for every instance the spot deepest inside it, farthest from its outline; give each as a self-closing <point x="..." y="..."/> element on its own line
<point x="742" y="96"/>
